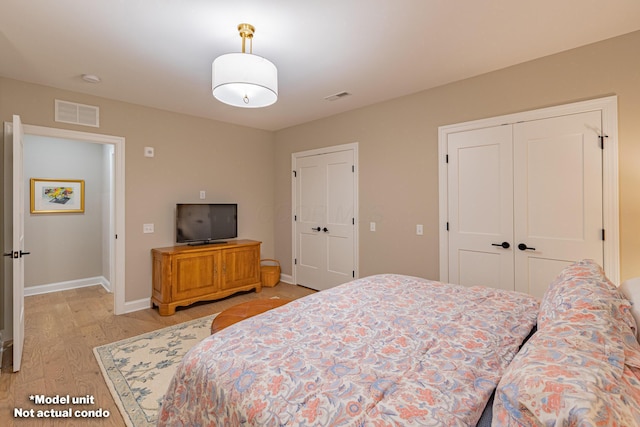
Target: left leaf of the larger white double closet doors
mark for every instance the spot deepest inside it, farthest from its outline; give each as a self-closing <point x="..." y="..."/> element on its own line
<point x="480" y="178"/>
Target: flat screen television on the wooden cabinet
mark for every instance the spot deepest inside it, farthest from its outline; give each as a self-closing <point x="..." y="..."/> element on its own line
<point x="203" y="223"/>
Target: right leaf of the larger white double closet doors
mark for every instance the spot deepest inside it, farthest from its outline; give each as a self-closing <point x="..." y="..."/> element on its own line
<point x="557" y="196"/>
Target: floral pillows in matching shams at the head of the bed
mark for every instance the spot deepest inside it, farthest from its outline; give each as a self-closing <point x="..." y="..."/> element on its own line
<point x="582" y="366"/>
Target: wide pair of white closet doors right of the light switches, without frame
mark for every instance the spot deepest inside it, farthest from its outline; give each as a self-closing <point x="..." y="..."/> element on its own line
<point x="524" y="201"/>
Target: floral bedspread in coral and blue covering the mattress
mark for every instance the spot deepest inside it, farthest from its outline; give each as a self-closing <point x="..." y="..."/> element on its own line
<point x="384" y="350"/>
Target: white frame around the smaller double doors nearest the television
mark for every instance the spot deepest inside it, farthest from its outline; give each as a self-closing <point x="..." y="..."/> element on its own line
<point x="356" y="239"/>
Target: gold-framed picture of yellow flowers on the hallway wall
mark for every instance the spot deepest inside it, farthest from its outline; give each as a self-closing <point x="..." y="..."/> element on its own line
<point x="57" y="195"/>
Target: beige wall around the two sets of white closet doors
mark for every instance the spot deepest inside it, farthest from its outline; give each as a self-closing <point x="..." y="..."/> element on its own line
<point x="398" y="144"/>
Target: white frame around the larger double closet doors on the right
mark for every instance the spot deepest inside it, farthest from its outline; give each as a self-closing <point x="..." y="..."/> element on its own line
<point x="610" y="200"/>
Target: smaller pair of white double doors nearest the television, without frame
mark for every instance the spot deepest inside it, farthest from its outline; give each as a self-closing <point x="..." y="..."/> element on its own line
<point x="324" y="225"/>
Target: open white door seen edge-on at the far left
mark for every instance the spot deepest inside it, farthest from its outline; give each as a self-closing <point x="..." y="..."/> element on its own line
<point x="18" y="252"/>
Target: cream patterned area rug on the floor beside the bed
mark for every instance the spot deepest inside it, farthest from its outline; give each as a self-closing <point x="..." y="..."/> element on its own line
<point x="138" y="369"/>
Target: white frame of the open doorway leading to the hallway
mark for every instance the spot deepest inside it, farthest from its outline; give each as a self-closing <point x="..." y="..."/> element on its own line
<point x="117" y="245"/>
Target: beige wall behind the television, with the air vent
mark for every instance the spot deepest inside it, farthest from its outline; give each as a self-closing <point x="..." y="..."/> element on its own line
<point x="231" y="163"/>
